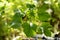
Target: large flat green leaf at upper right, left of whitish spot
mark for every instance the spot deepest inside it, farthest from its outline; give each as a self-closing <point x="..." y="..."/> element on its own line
<point x="42" y="14"/>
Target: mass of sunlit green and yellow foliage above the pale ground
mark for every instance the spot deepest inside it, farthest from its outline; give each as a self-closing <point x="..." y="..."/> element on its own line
<point x="28" y="14"/>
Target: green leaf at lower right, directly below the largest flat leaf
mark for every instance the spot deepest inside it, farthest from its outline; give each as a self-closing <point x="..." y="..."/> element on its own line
<point x="47" y="28"/>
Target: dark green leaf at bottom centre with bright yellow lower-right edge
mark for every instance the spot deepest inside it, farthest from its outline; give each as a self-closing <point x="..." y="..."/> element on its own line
<point x="28" y="31"/>
